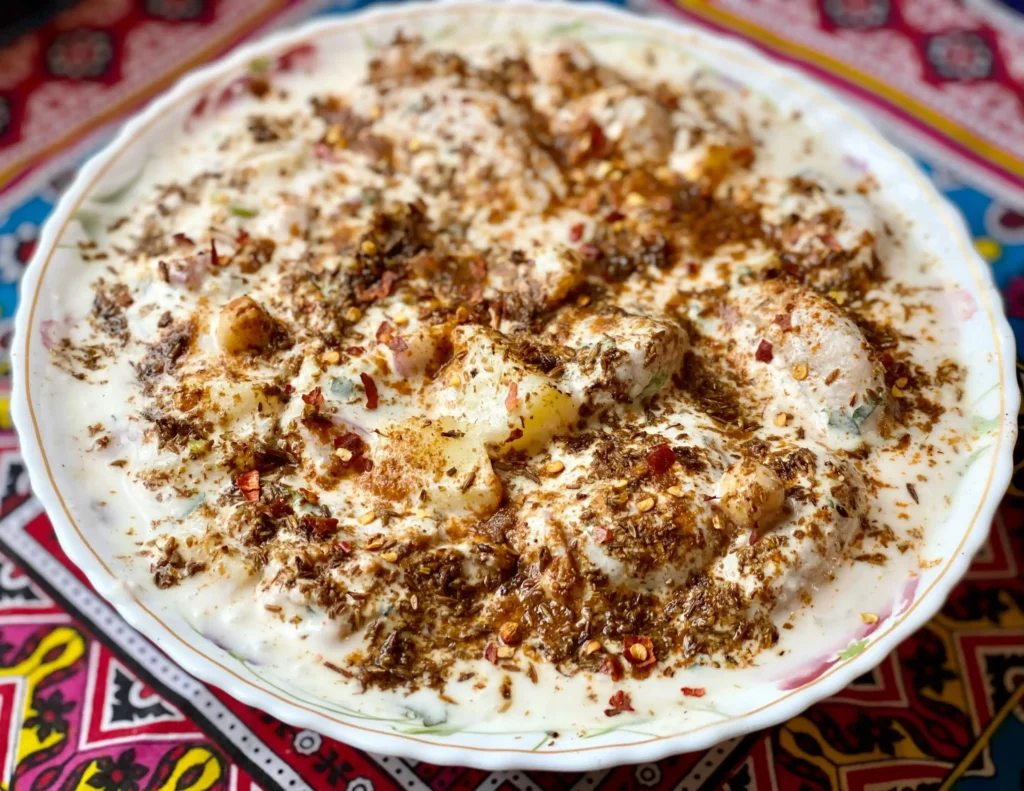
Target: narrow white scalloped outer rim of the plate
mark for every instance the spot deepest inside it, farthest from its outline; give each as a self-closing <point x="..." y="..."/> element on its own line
<point x="438" y="752"/>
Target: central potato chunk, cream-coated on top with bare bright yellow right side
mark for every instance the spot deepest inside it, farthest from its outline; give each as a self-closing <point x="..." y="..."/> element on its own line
<point x="509" y="406"/>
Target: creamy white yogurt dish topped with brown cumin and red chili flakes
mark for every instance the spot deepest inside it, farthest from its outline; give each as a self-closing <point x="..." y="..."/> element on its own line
<point x="436" y="388"/>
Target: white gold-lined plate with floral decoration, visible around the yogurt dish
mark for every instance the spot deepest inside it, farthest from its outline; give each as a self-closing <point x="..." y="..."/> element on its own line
<point x="818" y="671"/>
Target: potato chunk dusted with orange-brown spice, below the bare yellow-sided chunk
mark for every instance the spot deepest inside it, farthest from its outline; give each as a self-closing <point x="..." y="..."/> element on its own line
<point x="441" y="459"/>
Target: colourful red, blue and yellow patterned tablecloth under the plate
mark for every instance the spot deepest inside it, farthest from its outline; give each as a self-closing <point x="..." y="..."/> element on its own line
<point x="87" y="703"/>
